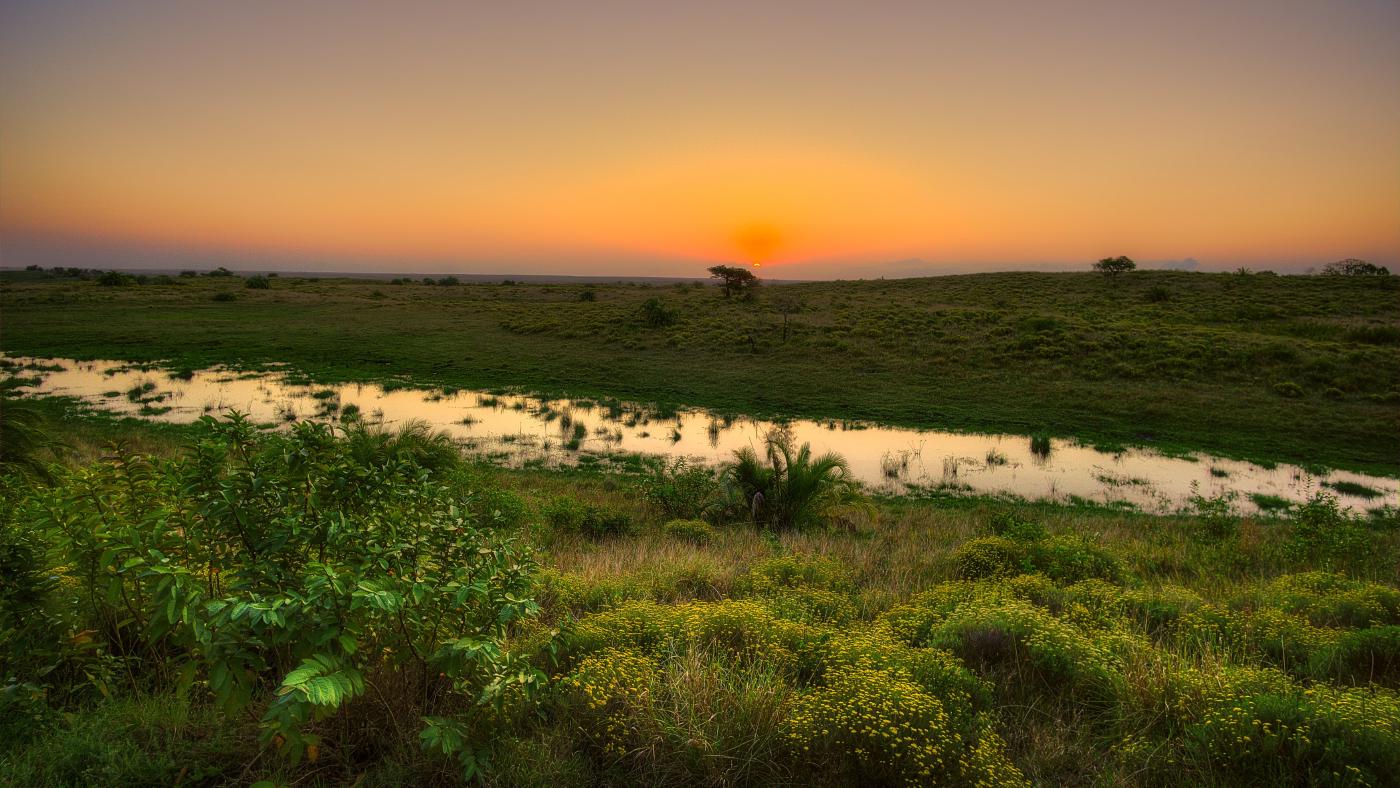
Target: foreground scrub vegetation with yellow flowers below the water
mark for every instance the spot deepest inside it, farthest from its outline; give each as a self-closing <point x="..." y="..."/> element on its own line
<point x="218" y="604"/>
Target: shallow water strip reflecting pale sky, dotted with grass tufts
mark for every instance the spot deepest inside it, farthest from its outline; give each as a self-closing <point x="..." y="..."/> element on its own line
<point x="523" y="429"/>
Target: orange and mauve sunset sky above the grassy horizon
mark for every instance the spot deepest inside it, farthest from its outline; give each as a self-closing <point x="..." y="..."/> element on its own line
<point x="814" y="139"/>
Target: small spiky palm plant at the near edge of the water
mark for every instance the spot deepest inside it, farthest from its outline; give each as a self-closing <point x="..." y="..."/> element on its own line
<point x="789" y="488"/>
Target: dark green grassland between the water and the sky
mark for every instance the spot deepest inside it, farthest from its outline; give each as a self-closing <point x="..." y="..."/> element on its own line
<point x="1277" y="369"/>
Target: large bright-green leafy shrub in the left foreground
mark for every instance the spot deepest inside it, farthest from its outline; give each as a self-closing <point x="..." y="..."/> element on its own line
<point x="288" y="573"/>
